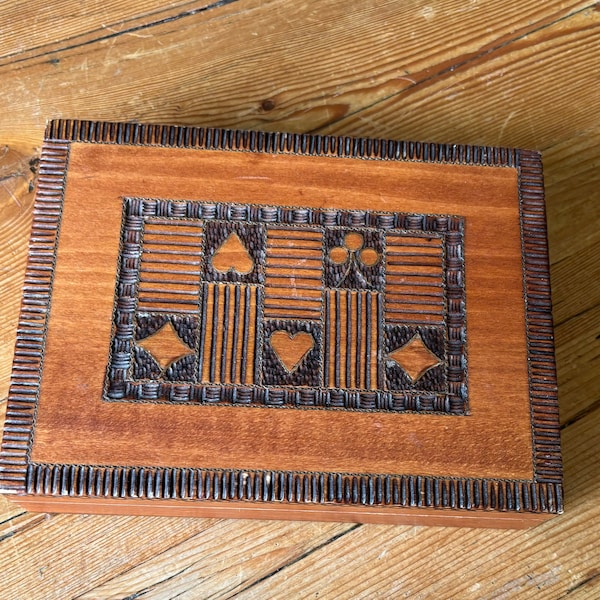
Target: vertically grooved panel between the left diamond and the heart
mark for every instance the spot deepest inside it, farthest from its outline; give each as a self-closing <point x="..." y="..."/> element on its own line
<point x="227" y="351"/>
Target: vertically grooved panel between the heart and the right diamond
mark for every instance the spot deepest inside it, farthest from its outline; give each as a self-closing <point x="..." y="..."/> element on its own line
<point x="351" y="339"/>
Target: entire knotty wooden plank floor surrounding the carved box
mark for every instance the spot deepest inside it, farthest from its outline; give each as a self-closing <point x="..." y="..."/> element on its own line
<point x="519" y="73"/>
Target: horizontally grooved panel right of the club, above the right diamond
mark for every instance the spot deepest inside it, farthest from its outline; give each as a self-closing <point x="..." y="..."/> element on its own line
<point x="414" y="290"/>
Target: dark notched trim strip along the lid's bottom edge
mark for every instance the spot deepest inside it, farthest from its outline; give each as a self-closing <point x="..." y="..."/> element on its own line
<point x="292" y="487"/>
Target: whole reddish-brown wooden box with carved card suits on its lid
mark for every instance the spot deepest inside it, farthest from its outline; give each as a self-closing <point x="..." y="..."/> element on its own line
<point x="242" y="324"/>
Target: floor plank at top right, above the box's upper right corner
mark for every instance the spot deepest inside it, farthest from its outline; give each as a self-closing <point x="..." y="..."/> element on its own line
<point x="518" y="94"/>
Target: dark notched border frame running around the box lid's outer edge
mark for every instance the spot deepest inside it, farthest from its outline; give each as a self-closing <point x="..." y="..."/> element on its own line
<point x="542" y="494"/>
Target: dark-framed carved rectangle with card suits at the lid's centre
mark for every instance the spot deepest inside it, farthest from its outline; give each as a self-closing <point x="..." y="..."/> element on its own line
<point x="303" y="272"/>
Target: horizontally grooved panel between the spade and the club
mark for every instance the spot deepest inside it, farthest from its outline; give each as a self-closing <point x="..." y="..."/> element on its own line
<point x="293" y="281"/>
